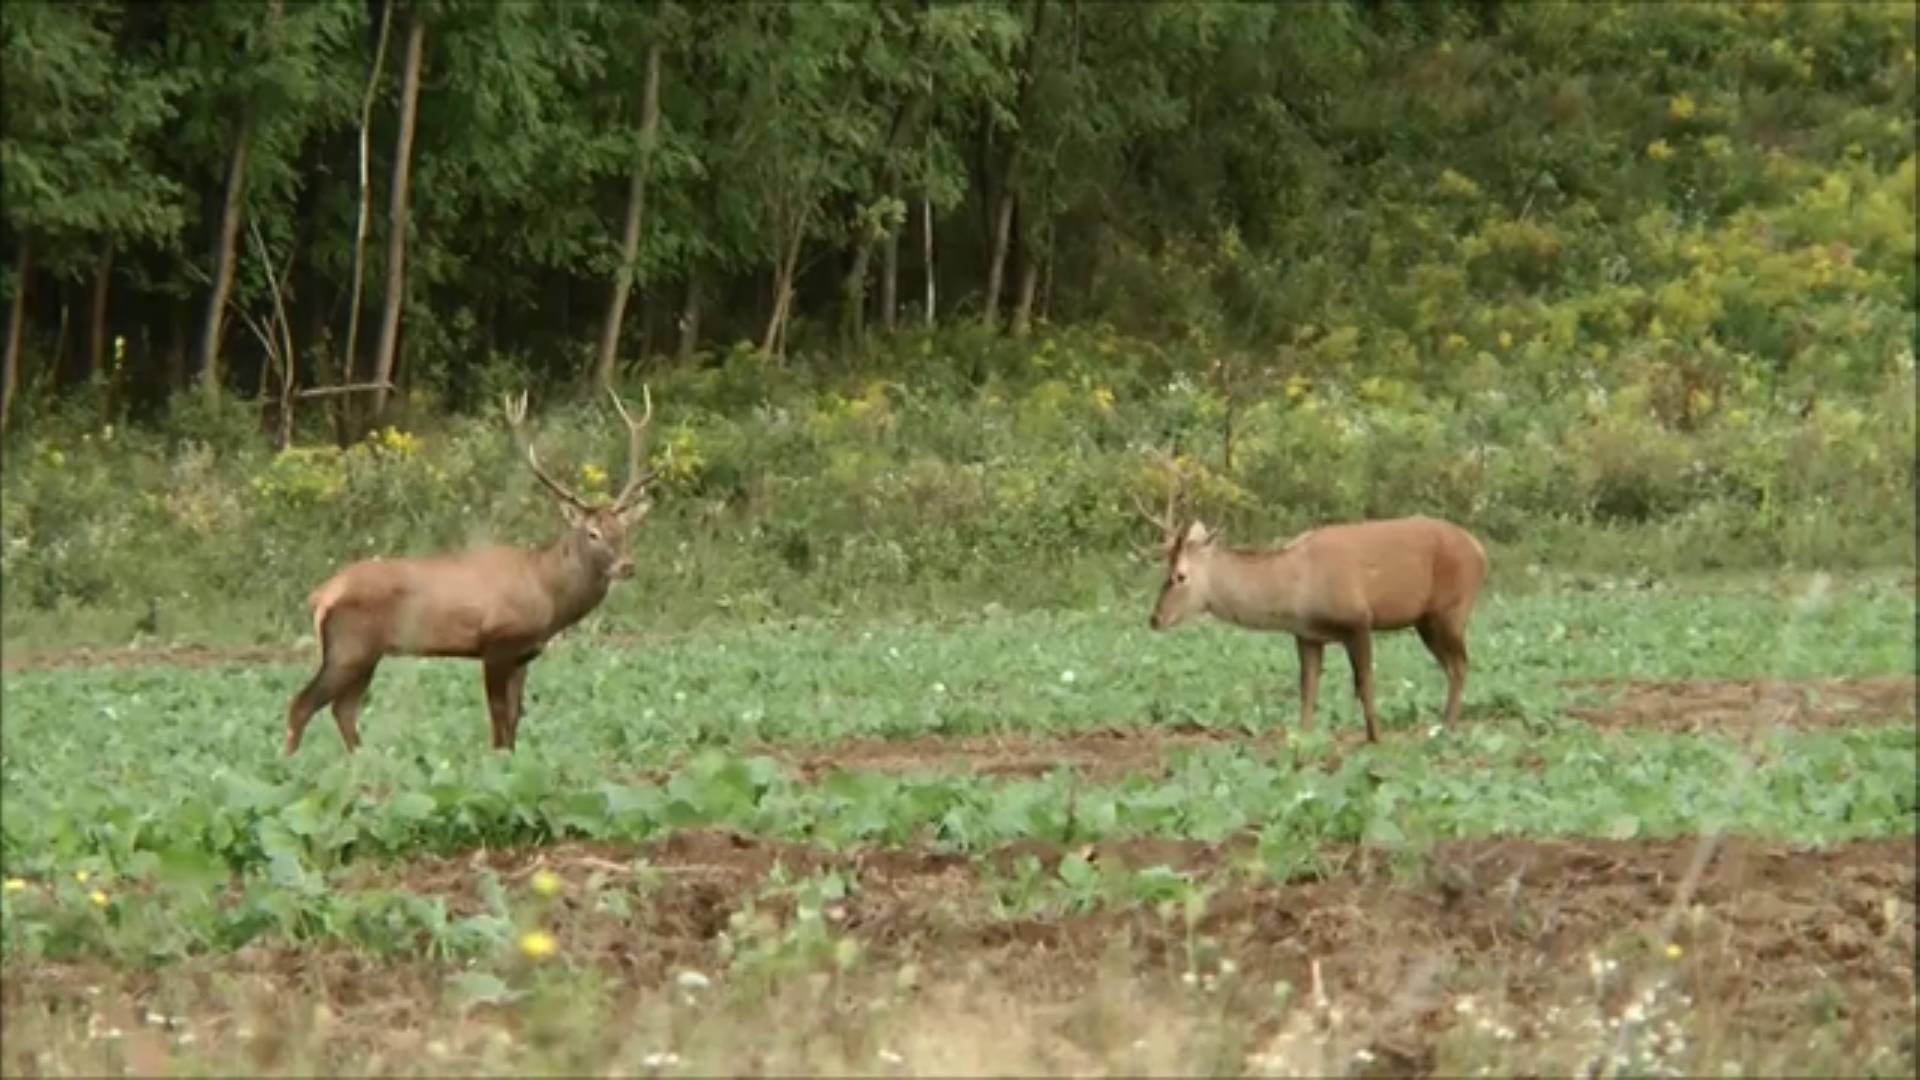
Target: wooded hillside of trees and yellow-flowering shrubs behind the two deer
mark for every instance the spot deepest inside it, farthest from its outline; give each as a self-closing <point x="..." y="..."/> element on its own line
<point x="1621" y="287"/>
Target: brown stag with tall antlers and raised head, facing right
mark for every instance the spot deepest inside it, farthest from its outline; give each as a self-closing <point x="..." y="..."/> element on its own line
<point x="492" y="604"/>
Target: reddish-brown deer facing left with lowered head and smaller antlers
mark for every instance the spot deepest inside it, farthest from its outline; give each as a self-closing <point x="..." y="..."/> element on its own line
<point x="1337" y="583"/>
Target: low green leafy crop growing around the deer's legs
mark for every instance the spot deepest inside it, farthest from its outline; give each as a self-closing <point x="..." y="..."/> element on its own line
<point x="155" y="783"/>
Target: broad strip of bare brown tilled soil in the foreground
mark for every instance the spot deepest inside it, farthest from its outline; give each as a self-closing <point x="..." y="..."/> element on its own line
<point x="1769" y="939"/>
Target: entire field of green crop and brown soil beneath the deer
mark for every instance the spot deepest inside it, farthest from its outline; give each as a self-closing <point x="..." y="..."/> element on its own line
<point x="996" y="843"/>
